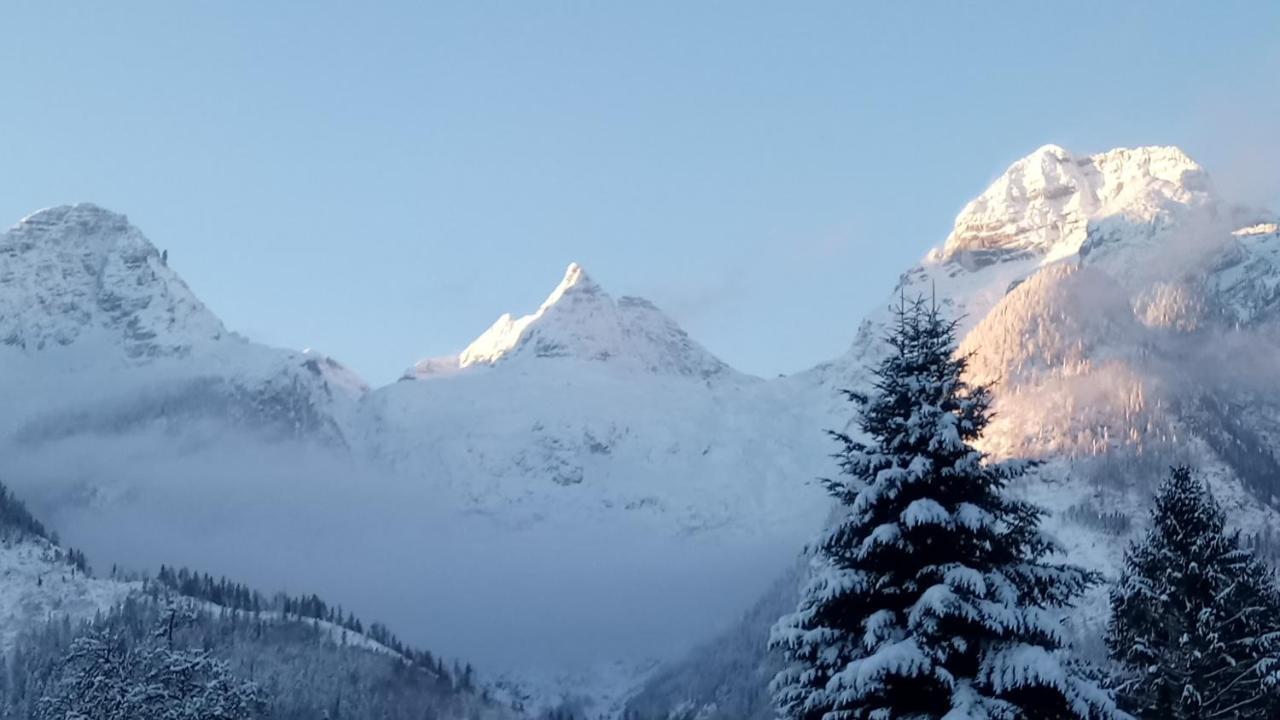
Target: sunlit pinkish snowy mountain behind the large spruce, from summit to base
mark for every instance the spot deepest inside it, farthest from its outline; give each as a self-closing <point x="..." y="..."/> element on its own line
<point x="1126" y="316"/>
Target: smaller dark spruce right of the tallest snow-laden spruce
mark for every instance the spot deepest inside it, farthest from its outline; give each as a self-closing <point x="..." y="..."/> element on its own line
<point x="1196" y="619"/>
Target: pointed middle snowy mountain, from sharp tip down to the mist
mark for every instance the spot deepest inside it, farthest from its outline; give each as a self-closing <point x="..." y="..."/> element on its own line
<point x="593" y="405"/>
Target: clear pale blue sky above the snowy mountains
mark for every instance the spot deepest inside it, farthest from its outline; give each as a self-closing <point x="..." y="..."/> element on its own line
<point x="381" y="181"/>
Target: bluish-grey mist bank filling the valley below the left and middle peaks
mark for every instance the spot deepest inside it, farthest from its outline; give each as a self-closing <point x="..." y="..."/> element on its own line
<point x="550" y="596"/>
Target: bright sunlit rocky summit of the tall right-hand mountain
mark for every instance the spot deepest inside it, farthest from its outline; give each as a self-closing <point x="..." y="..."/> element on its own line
<point x="1045" y="203"/>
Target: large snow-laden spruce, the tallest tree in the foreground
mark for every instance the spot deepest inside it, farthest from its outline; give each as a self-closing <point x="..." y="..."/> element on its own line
<point x="931" y="596"/>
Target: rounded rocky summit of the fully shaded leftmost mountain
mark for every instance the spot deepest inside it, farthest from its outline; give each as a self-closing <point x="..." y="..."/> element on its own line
<point x="79" y="271"/>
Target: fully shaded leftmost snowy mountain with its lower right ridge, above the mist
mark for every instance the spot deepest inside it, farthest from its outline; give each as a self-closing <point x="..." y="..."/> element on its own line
<point x="99" y="336"/>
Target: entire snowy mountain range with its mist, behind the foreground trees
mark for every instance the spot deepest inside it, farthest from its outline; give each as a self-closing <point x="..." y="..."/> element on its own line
<point x="596" y="480"/>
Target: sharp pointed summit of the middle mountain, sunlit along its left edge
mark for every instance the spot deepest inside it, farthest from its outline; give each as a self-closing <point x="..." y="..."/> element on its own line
<point x="580" y="321"/>
